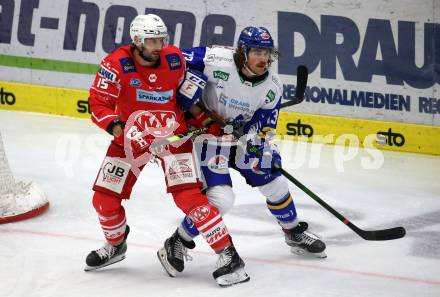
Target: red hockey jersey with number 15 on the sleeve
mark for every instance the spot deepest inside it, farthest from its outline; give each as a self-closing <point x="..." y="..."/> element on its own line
<point x="123" y="87"/>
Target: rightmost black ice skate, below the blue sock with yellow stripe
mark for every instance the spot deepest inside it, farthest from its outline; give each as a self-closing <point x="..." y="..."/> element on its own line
<point x="303" y="242"/>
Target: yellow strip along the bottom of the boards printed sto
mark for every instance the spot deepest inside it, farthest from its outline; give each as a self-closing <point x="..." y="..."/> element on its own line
<point x="313" y="128"/>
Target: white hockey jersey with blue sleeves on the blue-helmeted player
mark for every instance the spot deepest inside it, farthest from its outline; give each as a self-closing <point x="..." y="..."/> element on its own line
<point x="254" y="105"/>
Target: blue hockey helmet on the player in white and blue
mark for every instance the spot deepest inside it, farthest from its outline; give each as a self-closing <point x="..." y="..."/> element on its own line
<point x="255" y="37"/>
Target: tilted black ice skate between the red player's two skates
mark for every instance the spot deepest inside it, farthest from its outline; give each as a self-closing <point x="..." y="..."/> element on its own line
<point x="174" y="253"/>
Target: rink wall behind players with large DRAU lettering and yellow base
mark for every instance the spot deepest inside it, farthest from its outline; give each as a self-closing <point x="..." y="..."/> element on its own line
<point x="375" y="61"/>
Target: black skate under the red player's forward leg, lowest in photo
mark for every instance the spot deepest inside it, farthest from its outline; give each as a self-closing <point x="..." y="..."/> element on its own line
<point x="230" y="268"/>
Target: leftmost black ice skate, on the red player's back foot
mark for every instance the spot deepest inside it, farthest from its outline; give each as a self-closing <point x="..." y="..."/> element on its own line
<point x="107" y="255"/>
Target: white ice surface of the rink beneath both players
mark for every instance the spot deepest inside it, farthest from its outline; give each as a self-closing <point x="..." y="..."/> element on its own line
<point x="45" y="256"/>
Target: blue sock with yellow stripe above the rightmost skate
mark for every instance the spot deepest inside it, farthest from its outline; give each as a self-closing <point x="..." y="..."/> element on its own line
<point x="284" y="211"/>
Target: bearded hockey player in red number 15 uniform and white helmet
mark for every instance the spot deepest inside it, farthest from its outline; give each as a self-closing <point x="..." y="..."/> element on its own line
<point x="133" y="97"/>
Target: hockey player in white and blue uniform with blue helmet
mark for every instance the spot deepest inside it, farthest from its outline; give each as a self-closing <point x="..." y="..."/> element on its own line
<point x="242" y="89"/>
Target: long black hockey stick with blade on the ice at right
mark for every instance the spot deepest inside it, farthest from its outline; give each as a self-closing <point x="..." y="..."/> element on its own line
<point x="385" y="234"/>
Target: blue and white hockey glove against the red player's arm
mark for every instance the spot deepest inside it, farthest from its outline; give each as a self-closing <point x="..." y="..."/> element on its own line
<point x="191" y="88"/>
